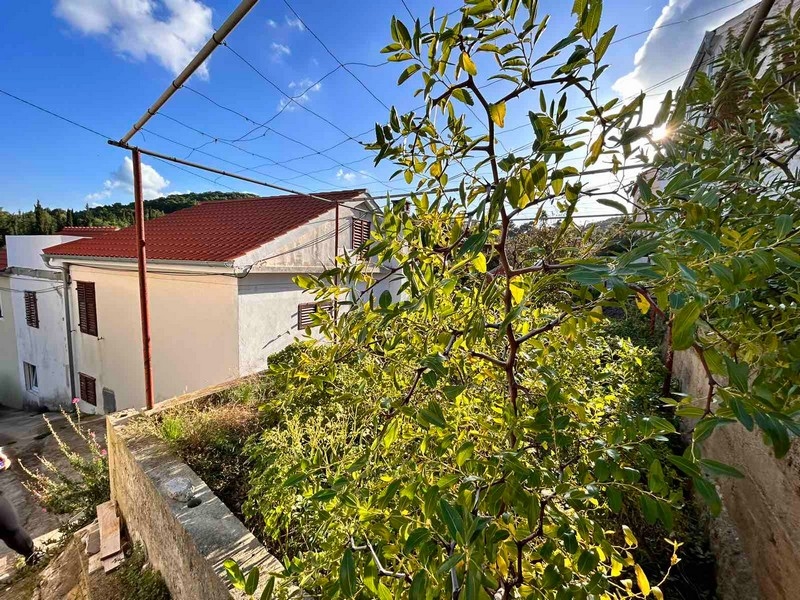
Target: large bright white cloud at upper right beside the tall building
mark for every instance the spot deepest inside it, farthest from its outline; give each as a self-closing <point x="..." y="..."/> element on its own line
<point x="669" y="50"/>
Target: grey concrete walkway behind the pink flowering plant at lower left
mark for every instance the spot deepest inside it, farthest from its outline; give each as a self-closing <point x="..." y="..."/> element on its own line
<point x="23" y="436"/>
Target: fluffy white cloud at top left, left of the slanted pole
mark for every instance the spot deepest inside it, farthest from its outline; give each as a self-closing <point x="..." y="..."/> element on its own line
<point x="169" y="31"/>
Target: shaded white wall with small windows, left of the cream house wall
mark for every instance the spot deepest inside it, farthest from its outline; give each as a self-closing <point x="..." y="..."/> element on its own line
<point x="45" y="346"/>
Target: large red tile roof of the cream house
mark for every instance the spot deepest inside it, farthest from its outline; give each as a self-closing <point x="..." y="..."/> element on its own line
<point x="216" y="231"/>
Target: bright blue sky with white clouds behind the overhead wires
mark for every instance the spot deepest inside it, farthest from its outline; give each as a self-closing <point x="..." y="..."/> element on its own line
<point x="102" y="62"/>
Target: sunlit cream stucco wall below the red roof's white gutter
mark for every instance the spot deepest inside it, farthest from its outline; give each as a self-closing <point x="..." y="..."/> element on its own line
<point x="194" y="331"/>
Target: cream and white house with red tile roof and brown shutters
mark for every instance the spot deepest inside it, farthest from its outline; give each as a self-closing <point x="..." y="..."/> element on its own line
<point x="220" y="287"/>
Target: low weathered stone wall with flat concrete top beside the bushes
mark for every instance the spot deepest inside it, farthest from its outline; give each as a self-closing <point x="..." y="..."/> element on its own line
<point x="155" y="491"/>
